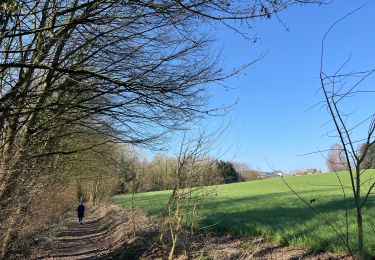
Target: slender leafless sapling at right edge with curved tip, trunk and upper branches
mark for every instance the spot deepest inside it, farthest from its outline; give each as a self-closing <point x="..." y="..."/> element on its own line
<point x="337" y="87"/>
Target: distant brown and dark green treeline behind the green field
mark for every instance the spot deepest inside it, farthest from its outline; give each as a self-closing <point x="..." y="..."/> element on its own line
<point x="138" y="175"/>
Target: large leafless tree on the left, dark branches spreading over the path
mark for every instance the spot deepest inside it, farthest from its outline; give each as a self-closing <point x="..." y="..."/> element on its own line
<point x="125" y="70"/>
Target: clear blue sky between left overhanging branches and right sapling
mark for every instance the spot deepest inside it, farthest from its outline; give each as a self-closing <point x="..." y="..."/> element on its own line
<point x="269" y="122"/>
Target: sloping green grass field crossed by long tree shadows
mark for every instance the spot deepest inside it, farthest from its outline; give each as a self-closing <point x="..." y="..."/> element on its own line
<point x="268" y="207"/>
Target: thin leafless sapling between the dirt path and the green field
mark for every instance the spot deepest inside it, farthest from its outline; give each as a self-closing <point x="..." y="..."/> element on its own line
<point x="187" y="192"/>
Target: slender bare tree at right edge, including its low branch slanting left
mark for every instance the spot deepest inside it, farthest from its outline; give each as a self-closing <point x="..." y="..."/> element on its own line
<point x="351" y="152"/>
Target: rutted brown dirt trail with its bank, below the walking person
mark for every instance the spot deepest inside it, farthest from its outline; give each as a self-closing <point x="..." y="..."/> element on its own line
<point x="106" y="233"/>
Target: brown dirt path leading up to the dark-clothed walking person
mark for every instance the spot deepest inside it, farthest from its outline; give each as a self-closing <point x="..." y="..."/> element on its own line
<point x="104" y="234"/>
